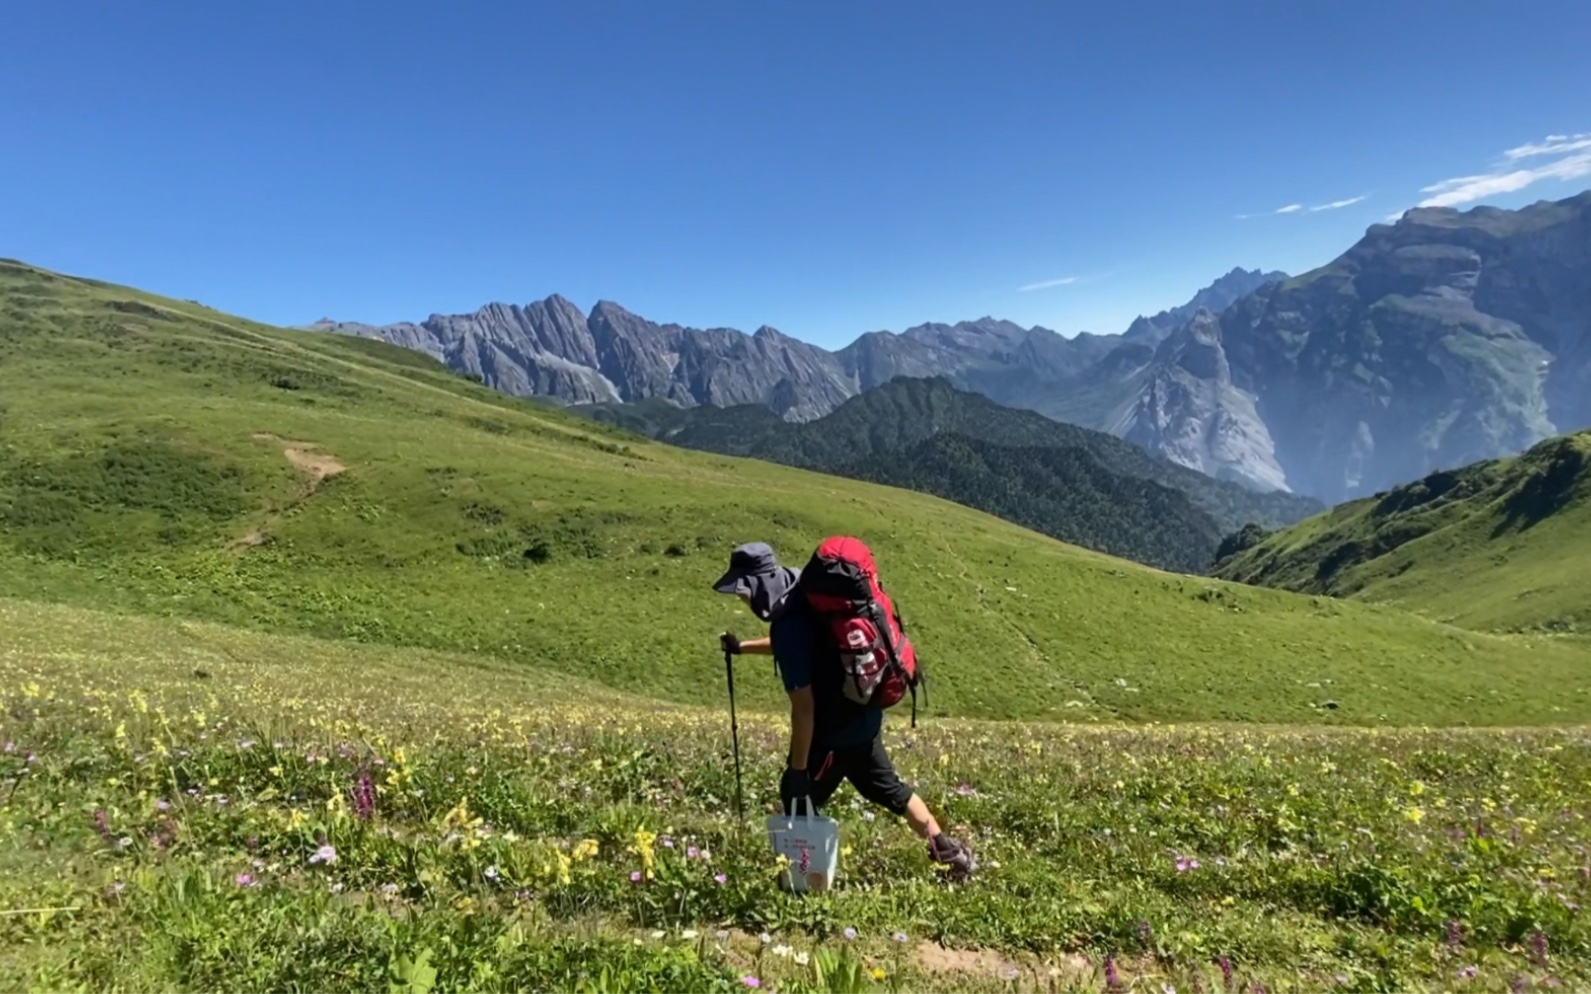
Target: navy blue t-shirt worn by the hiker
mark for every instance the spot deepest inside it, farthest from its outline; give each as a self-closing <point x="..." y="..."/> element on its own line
<point x="807" y="658"/>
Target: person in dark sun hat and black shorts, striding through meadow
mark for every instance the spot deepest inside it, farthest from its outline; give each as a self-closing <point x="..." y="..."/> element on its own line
<point x="833" y="739"/>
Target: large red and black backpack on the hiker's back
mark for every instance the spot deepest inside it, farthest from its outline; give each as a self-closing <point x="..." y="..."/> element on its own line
<point x="841" y="583"/>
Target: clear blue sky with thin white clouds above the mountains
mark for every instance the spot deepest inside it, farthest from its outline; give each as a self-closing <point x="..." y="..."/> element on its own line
<point x="822" y="168"/>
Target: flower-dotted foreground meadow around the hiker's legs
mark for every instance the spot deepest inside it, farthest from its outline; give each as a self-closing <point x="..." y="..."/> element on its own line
<point x="157" y="761"/>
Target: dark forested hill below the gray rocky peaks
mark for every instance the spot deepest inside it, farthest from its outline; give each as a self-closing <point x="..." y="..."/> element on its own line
<point x="1075" y="484"/>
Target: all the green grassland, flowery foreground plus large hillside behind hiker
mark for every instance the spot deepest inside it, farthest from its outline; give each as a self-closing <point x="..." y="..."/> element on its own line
<point x="327" y="669"/>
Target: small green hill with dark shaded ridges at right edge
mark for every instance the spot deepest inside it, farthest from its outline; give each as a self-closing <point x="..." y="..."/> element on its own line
<point x="1496" y="546"/>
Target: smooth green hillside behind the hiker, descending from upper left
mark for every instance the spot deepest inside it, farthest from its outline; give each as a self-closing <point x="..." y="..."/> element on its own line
<point x="130" y="468"/>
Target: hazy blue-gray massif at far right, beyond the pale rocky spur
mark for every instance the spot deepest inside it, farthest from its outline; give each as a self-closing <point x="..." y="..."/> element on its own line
<point x="1441" y="341"/>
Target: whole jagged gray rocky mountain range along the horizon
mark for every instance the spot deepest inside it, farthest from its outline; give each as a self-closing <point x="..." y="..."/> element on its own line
<point x="1437" y="341"/>
